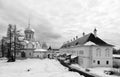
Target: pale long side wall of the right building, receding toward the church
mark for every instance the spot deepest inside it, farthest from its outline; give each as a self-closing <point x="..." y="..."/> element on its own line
<point x="82" y="51"/>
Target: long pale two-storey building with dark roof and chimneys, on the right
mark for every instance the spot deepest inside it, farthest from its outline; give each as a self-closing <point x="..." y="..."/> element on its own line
<point x="90" y="50"/>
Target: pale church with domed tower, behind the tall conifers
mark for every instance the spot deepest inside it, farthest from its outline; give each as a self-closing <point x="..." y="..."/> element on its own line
<point x="32" y="48"/>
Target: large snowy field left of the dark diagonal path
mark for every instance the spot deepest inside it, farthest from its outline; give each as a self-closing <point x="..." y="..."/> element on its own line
<point x="35" y="68"/>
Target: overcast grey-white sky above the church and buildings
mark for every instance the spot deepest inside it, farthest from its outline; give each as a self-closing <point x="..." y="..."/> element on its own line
<point x="56" y="21"/>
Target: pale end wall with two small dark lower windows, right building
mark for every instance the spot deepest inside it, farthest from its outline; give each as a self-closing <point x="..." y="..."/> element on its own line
<point x="103" y="57"/>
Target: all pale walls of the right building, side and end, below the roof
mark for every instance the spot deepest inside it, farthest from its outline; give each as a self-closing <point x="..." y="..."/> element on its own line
<point x="89" y="55"/>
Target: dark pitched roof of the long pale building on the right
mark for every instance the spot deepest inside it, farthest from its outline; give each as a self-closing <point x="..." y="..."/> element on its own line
<point x="85" y="39"/>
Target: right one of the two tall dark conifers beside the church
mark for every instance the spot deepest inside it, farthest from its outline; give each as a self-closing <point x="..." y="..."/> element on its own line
<point x="15" y="44"/>
